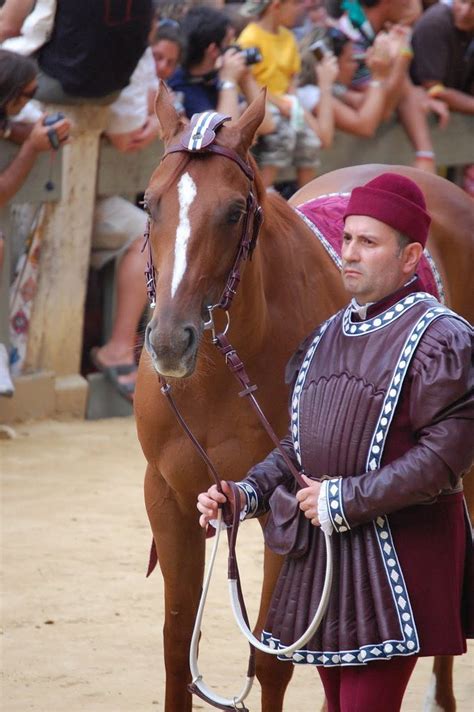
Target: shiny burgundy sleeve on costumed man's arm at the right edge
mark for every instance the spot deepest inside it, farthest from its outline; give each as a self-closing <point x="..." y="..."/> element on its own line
<point x="442" y="419"/>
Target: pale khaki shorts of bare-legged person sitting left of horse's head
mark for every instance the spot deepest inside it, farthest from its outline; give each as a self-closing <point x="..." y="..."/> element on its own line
<point x="117" y="223"/>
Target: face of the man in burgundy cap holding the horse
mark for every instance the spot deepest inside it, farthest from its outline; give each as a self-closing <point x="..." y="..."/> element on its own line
<point x="372" y="262"/>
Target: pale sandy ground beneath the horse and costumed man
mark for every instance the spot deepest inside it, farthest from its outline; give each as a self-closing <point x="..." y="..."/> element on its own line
<point x="81" y="624"/>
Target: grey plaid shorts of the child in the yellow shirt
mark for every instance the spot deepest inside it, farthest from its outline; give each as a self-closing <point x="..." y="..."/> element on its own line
<point x="287" y="147"/>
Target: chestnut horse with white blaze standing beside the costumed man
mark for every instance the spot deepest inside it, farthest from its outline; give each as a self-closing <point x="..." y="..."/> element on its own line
<point x="197" y="205"/>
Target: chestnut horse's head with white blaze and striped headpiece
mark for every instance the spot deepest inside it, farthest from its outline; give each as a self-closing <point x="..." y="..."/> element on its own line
<point x="202" y="202"/>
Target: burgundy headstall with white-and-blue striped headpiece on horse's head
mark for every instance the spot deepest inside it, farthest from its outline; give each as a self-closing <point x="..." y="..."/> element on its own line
<point x="199" y="139"/>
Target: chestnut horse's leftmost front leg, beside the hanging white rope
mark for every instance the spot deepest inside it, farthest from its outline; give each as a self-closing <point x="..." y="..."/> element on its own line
<point x="181" y="549"/>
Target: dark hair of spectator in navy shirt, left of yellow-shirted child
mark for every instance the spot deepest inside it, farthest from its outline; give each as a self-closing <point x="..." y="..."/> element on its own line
<point x="202" y="26"/>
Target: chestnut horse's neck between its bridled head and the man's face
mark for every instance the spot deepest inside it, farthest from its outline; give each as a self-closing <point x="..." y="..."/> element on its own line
<point x="290" y="281"/>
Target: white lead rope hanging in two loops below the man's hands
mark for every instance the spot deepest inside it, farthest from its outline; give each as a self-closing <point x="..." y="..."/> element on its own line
<point x="237" y="609"/>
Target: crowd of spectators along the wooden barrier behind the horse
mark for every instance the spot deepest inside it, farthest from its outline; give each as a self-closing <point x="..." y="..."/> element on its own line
<point x="349" y="65"/>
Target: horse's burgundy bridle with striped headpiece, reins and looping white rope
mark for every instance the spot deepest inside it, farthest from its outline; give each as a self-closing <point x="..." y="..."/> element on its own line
<point x="199" y="139"/>
